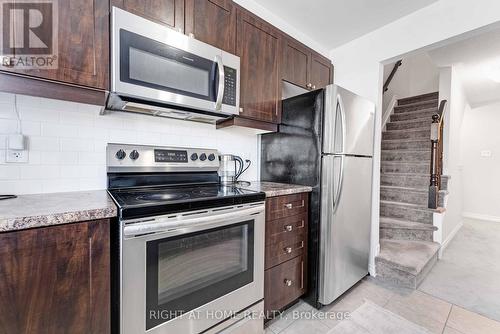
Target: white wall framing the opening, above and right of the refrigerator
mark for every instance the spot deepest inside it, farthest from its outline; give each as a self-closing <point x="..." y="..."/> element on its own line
<point x="358" y="63"/>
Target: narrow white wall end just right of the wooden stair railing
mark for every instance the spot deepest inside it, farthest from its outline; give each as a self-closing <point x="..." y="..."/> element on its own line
<point x="451" y="89"/>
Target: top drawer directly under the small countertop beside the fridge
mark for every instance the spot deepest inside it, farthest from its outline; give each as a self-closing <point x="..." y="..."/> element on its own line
<point x="286" y="206"/>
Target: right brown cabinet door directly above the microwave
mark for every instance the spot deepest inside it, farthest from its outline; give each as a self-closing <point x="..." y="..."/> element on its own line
<point x="213" y="22"/>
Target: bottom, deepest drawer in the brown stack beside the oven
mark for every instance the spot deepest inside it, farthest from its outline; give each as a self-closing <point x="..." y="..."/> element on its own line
<point x="284" y="283"/>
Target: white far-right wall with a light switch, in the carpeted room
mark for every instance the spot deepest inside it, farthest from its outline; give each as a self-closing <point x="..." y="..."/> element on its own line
<point x="481" y="176"/>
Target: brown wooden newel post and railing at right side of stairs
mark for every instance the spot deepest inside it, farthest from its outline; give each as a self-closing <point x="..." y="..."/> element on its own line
<point x="436" y="169"/>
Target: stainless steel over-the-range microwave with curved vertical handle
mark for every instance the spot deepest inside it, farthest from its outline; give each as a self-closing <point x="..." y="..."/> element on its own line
<point x="158" y="71"/>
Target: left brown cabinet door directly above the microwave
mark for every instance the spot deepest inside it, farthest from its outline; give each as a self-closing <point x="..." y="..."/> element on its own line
<point x="166" y="12"/>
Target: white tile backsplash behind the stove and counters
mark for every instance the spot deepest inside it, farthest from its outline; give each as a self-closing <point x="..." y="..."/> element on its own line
<point x="67" y="143"/>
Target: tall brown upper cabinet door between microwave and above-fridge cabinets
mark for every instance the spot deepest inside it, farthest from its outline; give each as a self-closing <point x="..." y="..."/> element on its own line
<point x="258" y="45"/>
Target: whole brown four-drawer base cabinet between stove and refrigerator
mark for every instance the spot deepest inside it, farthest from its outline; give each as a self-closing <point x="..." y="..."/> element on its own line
<point x="285" y="276"/>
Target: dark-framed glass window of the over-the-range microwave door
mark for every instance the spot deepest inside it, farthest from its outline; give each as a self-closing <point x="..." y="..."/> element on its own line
<point x="148" y="63"/>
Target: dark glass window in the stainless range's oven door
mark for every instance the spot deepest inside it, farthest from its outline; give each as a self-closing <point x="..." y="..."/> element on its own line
<point x="188" y="271"/>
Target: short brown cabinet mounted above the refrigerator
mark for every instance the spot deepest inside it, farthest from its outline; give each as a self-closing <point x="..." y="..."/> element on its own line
<point x="303" y="67"/>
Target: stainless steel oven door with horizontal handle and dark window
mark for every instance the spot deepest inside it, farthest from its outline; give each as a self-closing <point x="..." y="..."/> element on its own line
<point x="188" y="272"/>
